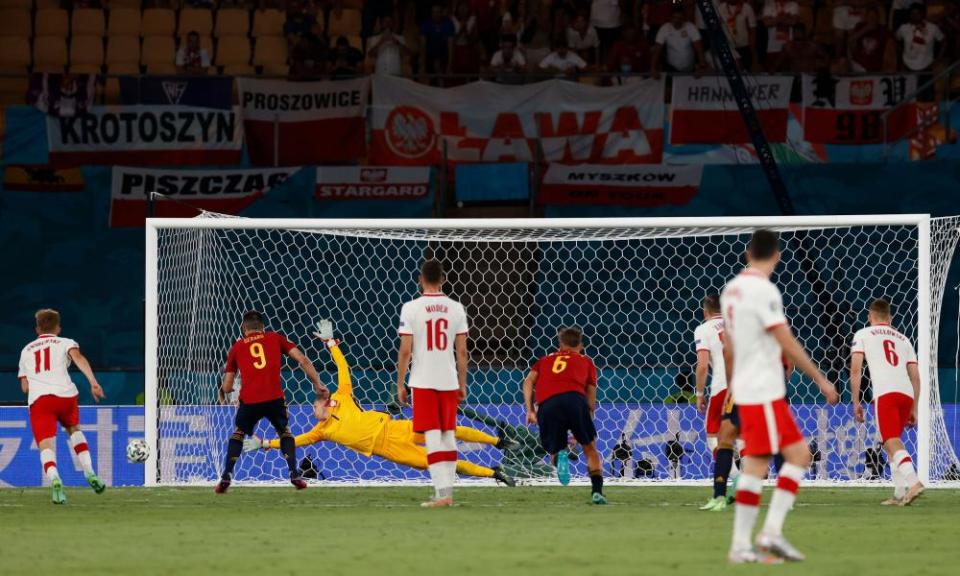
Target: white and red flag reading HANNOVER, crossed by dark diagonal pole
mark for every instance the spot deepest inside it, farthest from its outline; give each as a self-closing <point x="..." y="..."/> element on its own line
<point x="705" y="111"/>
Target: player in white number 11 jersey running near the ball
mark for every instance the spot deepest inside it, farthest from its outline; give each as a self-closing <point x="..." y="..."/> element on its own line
<point x="52" y="397"/>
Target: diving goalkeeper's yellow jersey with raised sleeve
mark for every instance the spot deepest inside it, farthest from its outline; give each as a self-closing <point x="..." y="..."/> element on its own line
<point x="348" y="425"/>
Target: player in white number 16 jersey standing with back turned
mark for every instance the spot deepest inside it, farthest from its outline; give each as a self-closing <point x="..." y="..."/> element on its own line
<point x="433" y="333"/>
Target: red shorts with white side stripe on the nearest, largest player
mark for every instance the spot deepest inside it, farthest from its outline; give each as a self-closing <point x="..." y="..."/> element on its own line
<point x="767" y="428"/>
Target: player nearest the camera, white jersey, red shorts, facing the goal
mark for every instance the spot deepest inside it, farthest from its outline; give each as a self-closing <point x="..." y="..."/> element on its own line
<point x="756" y="337"/>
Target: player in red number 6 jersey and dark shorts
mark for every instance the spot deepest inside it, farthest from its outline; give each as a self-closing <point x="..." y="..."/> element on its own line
<point x="565" y="384"/>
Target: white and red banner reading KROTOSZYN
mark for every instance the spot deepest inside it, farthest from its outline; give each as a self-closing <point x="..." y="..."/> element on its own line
<point x="146" y="135"/>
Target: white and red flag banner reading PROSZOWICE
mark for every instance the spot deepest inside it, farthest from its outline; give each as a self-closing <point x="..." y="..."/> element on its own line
<point x="296" y="123"/>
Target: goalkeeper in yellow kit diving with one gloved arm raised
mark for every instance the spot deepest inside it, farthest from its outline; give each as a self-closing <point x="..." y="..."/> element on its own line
<point x="371" y="433"/>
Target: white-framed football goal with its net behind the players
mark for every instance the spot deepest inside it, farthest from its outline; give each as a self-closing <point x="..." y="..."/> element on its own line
<point x="634" y="286"/>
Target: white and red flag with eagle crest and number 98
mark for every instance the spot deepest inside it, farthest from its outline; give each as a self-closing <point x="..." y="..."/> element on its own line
<point x="842" y="110"/>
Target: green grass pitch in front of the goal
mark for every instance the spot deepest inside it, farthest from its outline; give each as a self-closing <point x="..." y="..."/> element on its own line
<point x="492" y="531"/>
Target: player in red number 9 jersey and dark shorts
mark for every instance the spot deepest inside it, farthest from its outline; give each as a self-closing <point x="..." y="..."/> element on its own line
<point x="258" y="356"/>
